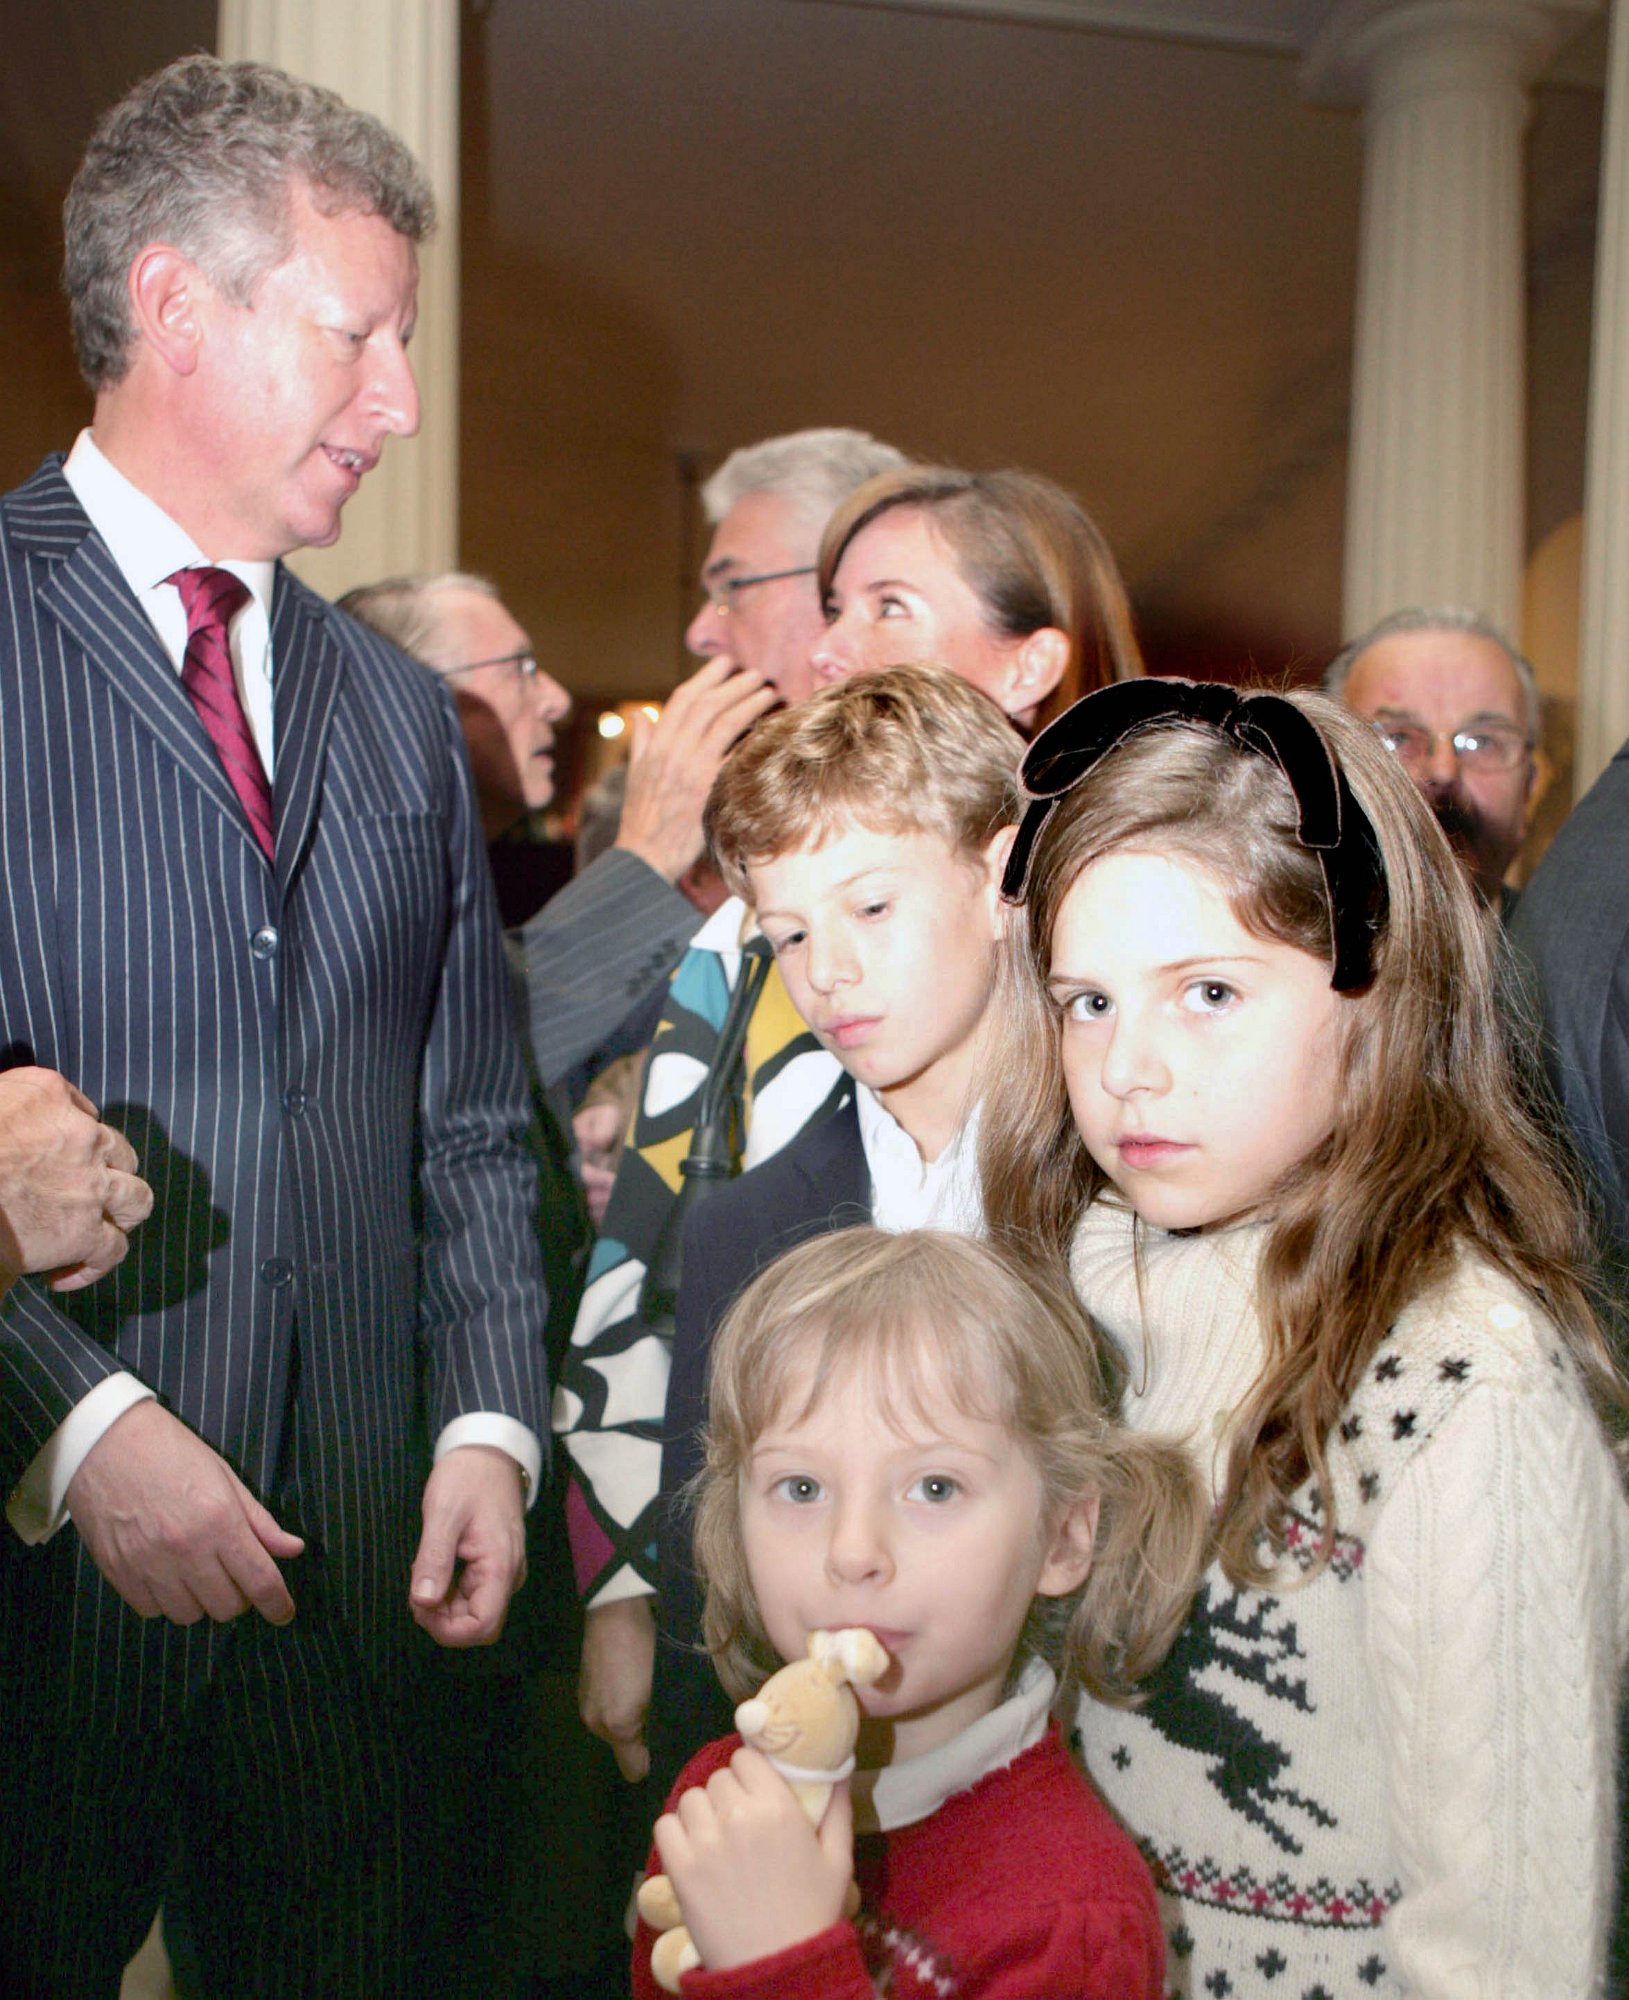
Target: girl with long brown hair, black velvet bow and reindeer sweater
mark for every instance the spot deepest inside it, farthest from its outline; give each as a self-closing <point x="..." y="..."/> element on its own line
<point x="1258" y="1095"/>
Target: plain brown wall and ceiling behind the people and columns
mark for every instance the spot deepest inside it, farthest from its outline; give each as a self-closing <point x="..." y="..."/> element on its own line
<point x="980" y="229"/>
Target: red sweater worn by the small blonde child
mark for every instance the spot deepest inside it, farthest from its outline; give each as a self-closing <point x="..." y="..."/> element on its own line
<point x="1024" y="1889"/>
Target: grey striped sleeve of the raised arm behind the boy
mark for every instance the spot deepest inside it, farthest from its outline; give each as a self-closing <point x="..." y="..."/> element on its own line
<point x="595" y="953"/>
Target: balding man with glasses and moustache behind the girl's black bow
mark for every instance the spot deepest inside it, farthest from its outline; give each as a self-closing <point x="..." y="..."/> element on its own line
<point x="1460" y="707"/>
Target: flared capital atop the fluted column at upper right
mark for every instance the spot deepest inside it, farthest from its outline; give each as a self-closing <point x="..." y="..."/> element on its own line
<point x="1398" y="49"/>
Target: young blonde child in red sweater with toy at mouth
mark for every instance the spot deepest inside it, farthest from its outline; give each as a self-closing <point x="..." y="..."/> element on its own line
<point x="908" y="1433"/>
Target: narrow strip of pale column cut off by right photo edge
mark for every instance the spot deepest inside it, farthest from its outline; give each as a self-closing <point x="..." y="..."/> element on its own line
<point x="1604" y="641"/>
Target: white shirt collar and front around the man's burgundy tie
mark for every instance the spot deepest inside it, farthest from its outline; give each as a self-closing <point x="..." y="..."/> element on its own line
<point x="149" y="549"/>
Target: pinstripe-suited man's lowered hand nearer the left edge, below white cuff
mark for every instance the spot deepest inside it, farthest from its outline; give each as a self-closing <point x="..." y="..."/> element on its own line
<point x="175" y="1529"/>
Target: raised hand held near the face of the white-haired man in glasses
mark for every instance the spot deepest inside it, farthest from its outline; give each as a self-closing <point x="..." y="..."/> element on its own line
<point x="673" y="763"/>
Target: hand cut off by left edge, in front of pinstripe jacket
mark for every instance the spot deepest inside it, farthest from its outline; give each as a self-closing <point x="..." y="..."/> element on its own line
<point x="69" y="1189"/>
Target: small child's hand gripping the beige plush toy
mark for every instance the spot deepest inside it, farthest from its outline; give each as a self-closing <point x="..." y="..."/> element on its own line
<point x="749" y="1871"/>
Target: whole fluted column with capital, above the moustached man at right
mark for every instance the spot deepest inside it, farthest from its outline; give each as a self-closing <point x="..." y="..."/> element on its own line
<point x="1438" y="441"/>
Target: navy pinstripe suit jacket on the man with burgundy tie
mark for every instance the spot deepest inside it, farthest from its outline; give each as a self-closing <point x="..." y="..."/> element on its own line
<point x="315" y="1061"/>
